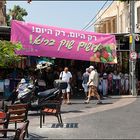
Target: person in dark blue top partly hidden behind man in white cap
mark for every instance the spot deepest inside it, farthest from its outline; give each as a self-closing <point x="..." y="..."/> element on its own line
<point x="85" y="79"/>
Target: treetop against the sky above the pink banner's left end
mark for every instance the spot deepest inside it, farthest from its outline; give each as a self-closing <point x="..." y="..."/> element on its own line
<point x="17" y="13"/>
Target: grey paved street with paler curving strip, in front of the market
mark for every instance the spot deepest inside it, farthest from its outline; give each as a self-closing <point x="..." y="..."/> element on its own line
<point x="116" y="118"/>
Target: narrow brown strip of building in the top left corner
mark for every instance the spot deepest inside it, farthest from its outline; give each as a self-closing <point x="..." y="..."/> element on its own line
<point x="2" y="13"/>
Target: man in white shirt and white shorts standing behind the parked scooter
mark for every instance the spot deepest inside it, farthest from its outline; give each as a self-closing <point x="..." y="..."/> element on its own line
<point x="66" y="76"/>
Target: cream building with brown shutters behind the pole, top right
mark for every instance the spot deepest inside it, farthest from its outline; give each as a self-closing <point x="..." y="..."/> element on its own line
<point x="116" y="19"/>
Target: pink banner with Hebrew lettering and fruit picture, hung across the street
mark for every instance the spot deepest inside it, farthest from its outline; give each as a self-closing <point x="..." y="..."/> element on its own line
<point x="42" y="40"/>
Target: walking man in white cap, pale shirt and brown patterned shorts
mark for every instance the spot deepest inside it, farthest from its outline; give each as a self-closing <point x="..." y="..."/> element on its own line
<point x="93" y="84"/>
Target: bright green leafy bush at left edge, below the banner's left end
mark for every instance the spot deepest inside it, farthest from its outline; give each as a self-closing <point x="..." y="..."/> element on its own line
<point x="8" y="58"/>
